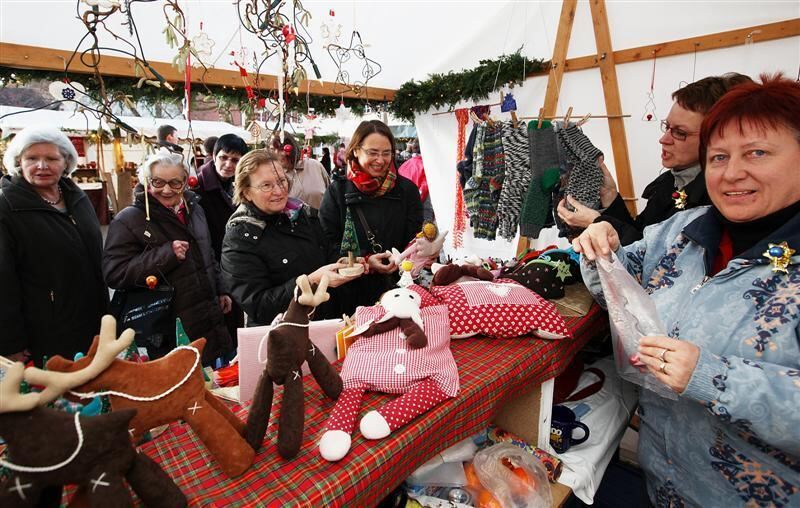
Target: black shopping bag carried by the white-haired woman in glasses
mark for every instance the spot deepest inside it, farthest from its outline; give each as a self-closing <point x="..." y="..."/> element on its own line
<point x="150" y="313"/>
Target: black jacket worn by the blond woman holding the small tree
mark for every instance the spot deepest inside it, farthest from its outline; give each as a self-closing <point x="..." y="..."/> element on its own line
<point x="262" y="256"/>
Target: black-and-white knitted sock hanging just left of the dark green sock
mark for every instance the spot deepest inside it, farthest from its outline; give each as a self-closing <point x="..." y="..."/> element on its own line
<point x="518" y="176"/>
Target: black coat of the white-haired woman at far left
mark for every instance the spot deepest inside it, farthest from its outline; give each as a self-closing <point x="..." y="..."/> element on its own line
<point x="52" y="293"/>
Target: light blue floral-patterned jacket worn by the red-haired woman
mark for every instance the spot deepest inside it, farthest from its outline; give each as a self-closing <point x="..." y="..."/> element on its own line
<point x="732" y="437"/>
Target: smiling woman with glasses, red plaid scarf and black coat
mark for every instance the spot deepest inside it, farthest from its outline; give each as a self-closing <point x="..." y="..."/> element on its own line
<point x="384" y="207"/>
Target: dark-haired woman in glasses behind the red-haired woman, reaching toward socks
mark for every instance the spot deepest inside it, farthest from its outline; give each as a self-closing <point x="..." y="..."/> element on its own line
<point x="681" y="187"/>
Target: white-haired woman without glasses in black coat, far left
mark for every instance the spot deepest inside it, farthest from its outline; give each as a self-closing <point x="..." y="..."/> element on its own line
<point x="52" y="293"/>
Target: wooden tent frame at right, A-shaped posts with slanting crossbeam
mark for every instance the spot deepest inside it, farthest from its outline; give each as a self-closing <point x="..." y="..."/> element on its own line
<point x="607" y="59"/>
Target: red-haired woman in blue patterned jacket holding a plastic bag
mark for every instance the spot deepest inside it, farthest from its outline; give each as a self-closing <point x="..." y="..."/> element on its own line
<point x="726" y="282"/>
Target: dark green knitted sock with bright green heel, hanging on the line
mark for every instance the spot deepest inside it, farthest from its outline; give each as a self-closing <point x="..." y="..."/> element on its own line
<point x="544" y="156"/>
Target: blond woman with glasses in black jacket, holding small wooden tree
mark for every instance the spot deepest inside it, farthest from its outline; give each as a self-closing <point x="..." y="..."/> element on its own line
<point x="270" y="240"/>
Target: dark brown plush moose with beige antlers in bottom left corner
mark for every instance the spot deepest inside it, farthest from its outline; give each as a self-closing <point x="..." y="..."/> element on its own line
<point x="48" y="448"/>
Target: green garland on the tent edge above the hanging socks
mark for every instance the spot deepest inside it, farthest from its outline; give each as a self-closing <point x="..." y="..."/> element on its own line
<point x="467" y="85"/>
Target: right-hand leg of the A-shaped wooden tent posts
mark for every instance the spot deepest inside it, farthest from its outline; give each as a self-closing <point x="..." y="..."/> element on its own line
<point x="608" y="75"/>
